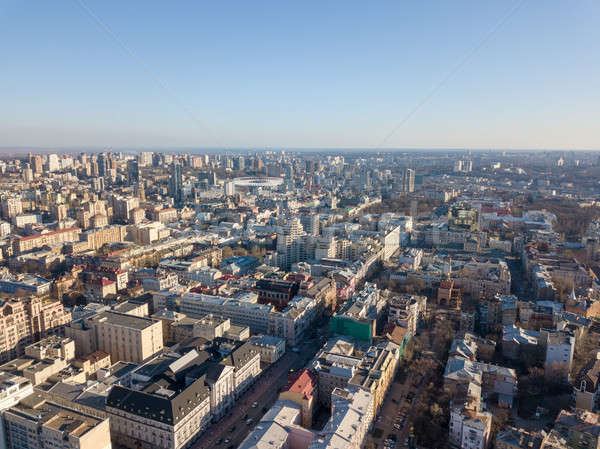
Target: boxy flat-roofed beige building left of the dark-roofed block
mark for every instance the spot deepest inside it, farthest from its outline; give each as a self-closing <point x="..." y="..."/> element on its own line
<point x="125" y="337"/>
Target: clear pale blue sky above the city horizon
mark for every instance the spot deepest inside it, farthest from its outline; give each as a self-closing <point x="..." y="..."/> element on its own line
<point x="151" y="74"/>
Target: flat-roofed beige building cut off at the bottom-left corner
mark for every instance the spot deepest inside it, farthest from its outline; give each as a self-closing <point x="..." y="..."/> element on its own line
<point x="35" y="423"/>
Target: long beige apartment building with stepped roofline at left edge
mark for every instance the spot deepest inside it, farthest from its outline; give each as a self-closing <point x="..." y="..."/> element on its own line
<point x="24" y="321"/>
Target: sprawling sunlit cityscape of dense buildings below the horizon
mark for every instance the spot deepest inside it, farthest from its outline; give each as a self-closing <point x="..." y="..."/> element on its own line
<point x="300" y="300"/>
